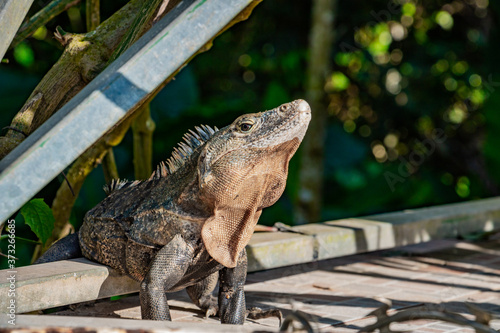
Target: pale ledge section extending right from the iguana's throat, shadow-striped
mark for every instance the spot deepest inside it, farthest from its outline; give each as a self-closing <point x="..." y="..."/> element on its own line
<point x="376" y="232"/>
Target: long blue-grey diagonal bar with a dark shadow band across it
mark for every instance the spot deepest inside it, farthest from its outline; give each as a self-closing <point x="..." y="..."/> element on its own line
<point x="108" y="98"/>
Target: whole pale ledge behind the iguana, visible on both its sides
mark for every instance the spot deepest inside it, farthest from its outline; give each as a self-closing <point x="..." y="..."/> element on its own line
<point x="54" y="284"/>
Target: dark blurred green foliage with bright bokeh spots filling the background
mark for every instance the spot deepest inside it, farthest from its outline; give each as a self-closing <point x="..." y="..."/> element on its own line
<point x="412" y="96"/>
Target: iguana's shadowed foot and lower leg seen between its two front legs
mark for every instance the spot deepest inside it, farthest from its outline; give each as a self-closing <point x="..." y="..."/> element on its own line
<point x="201" y="294"/>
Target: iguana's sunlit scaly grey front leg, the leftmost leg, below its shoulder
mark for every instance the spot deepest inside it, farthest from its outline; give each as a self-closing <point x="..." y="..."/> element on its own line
<point x="167" y="268"/>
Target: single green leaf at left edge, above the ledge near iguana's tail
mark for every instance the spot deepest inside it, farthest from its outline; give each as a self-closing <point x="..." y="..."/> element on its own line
<point x="38" y="215"/>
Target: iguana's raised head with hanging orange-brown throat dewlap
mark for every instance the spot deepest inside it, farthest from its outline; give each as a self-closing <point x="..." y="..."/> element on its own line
<point x="242" y="169"/>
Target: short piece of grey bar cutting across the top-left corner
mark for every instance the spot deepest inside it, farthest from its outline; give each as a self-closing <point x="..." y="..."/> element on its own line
<point x="12" y="13"/>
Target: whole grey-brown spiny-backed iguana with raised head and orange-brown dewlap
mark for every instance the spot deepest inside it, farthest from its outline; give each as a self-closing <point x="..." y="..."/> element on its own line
<point x="188" y="224"/>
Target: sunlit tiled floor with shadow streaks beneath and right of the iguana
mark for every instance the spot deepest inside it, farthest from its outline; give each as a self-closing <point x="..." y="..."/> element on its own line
<point x="338" y="295"/>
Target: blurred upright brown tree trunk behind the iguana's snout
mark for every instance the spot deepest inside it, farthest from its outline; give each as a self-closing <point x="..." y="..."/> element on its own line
<point x="309" y="202"/>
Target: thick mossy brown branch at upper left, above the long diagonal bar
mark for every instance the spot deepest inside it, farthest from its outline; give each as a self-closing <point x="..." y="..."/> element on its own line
<point x="84" y="57"/>
